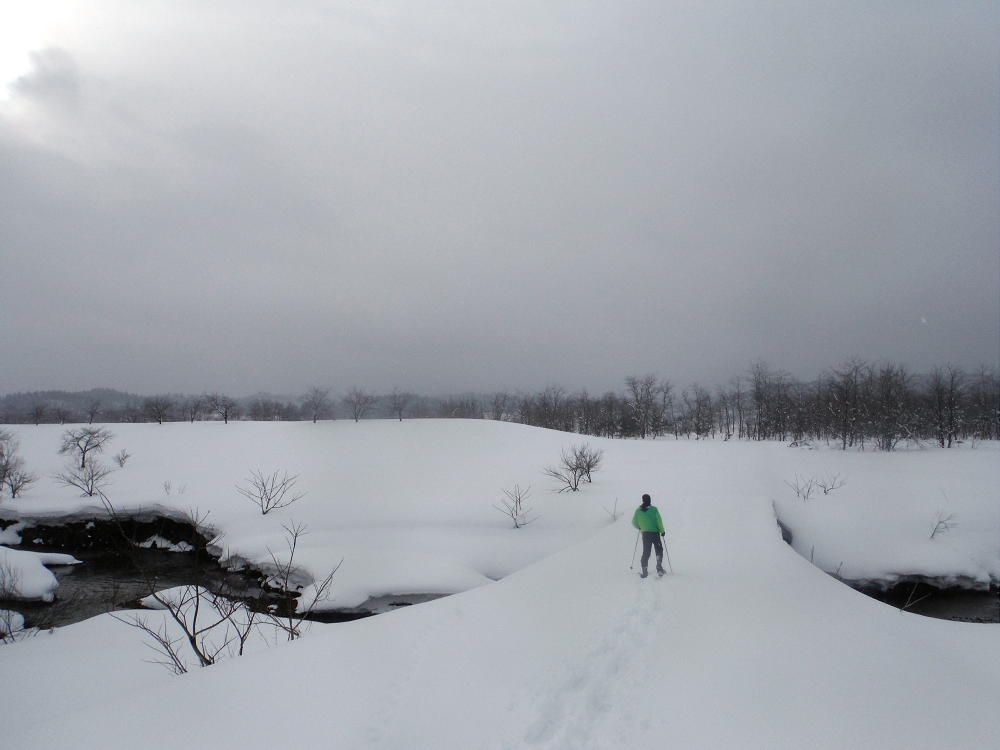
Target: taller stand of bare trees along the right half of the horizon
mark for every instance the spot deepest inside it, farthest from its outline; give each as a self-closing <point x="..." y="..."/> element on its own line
<point x="858" y="404"/>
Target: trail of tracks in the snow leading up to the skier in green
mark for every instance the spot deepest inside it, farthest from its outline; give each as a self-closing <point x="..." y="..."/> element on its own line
<point x="567" y="714"/>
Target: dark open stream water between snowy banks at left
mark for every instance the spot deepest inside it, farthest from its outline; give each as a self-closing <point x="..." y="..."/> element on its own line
<point x="106" y="582"/>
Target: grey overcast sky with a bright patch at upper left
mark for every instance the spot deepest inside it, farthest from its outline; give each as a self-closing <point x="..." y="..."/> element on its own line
<point x="445" y="196"/>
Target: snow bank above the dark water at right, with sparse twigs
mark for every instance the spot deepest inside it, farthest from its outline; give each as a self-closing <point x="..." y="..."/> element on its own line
<point x="876" y="529"/>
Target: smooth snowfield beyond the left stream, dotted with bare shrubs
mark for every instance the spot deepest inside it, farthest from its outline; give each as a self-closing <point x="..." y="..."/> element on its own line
<point x="407" y="506"/>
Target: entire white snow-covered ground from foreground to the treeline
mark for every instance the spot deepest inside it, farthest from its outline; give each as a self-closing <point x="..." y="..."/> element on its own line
<point x="746" y="645"/>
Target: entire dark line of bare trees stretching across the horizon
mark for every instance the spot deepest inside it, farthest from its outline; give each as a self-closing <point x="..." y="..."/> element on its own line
<point x="856" y="405"/>
